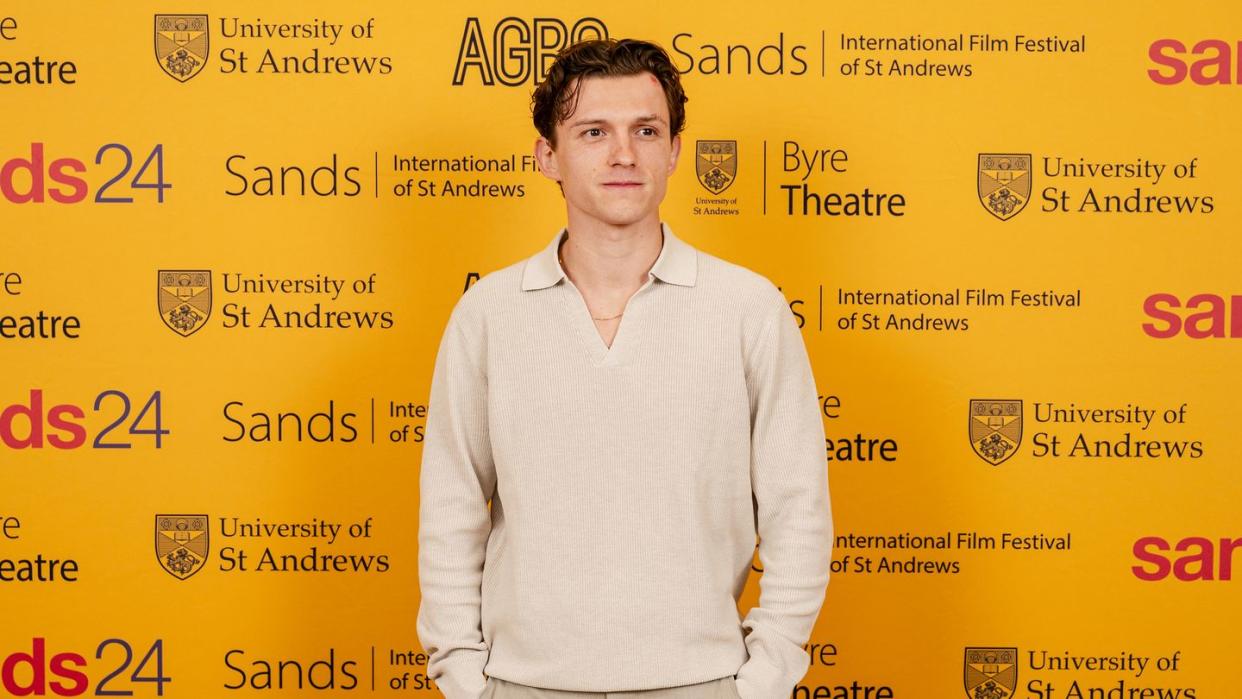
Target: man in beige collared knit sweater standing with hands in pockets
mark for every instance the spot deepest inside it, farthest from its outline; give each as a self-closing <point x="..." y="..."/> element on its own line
<point x="637" y="412"/>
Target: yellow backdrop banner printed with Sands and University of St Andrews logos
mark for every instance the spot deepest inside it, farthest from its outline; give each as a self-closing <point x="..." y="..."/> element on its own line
<point x="233" y="234"/>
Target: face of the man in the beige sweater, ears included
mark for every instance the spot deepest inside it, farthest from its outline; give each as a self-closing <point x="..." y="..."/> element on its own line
<point x="613" y="155"/>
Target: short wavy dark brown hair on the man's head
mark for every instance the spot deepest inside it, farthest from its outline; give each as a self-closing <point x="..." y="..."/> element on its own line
<point x="557" y="97"/>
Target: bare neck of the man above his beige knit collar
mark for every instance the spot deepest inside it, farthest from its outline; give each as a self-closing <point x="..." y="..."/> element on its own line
<point x="610" y="258"/>
